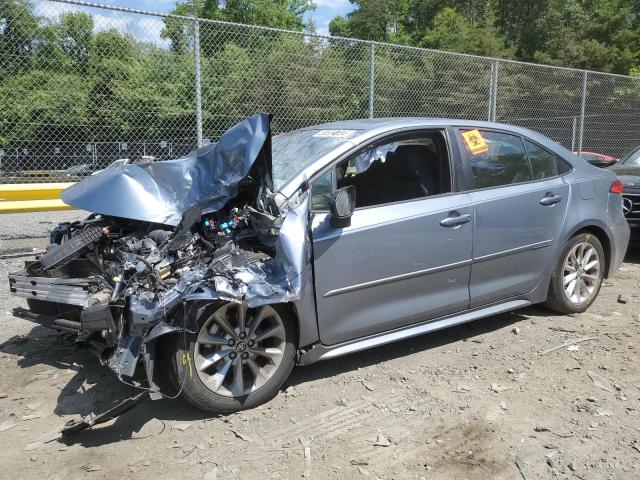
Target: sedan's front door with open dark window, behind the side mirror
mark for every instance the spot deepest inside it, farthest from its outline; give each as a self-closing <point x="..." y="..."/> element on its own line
<point x="406" y="257"/>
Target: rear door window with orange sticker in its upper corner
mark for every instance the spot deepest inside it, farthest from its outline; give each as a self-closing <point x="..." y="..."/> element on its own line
<point x="496" y="158"/>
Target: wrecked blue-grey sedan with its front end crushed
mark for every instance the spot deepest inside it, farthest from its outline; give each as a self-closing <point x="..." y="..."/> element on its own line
<point x="210" y="276"/>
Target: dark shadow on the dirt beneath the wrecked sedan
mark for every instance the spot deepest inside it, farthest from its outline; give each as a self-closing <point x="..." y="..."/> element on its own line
<point x="95" y="388"/>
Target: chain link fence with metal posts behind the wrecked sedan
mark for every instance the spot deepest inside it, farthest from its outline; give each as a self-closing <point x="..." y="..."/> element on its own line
<point x="82" y="85"/>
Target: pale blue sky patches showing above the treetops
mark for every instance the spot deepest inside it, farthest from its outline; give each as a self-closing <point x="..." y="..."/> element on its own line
<point x="325" y="11"/>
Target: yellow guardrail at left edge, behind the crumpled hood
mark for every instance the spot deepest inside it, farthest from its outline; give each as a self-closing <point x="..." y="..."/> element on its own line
<point x="32" y="197"/>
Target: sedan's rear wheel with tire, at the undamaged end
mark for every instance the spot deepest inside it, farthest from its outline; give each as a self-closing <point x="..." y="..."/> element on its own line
<point x="578" y="276"/>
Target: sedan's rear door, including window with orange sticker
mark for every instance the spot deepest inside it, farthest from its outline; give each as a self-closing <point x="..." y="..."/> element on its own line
<point x="520" y="202"/>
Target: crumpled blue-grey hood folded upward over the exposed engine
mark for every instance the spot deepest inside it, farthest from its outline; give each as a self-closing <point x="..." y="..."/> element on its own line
<point x="161" y="192"/>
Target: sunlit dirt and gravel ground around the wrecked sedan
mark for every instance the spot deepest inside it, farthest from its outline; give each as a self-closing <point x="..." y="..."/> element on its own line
<point x="478" y="401"/>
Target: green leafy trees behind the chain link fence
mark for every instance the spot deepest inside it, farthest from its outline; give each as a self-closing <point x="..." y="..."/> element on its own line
<point x="68" y="81"/>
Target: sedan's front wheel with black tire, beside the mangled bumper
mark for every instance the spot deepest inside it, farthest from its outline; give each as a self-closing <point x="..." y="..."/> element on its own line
<point x="238" y="359"/>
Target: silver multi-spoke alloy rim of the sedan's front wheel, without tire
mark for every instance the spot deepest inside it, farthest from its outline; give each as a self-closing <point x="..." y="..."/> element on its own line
<point x="239" y="349"/>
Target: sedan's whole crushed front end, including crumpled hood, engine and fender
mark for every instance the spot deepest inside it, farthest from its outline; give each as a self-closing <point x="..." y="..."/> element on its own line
<point x="121" y="282"/>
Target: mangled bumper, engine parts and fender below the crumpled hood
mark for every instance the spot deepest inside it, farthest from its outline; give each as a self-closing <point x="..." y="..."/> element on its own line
<point x="157" y="290"/>
